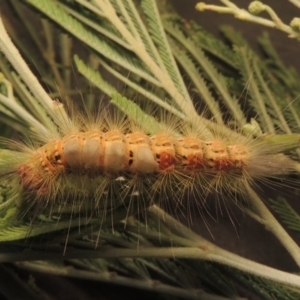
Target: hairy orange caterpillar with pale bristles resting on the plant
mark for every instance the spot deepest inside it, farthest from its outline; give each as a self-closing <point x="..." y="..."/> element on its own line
<point x="94" y="162"/>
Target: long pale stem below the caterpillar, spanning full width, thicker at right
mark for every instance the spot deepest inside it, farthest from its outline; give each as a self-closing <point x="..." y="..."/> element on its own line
<point x="210" y="253"/>
